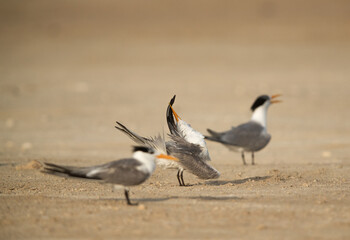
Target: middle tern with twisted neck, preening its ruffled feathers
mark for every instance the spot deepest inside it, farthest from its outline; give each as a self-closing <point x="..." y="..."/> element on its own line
<point x="186" y="144"/>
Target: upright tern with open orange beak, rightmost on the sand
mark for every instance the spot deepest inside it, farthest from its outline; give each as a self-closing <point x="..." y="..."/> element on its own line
<point x="251" y="136"/>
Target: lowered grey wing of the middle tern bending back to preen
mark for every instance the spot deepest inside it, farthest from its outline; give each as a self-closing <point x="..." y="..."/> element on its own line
<point x="189" y="156"/>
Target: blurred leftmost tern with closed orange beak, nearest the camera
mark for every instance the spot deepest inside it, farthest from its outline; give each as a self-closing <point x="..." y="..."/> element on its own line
<point x="124" y="172"/>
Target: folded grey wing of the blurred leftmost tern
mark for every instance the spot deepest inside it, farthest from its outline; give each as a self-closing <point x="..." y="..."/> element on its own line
<point x="123" y="172"/>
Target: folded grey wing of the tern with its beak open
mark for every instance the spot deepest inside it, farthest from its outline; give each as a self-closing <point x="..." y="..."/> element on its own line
<point x="248" y="135"/>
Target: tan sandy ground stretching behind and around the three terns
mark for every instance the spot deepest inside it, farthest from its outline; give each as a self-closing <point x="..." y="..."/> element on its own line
<point x="68" y="71"/>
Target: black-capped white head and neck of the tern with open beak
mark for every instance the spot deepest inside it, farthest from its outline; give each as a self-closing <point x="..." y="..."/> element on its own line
<point x="260" y="107"/>
